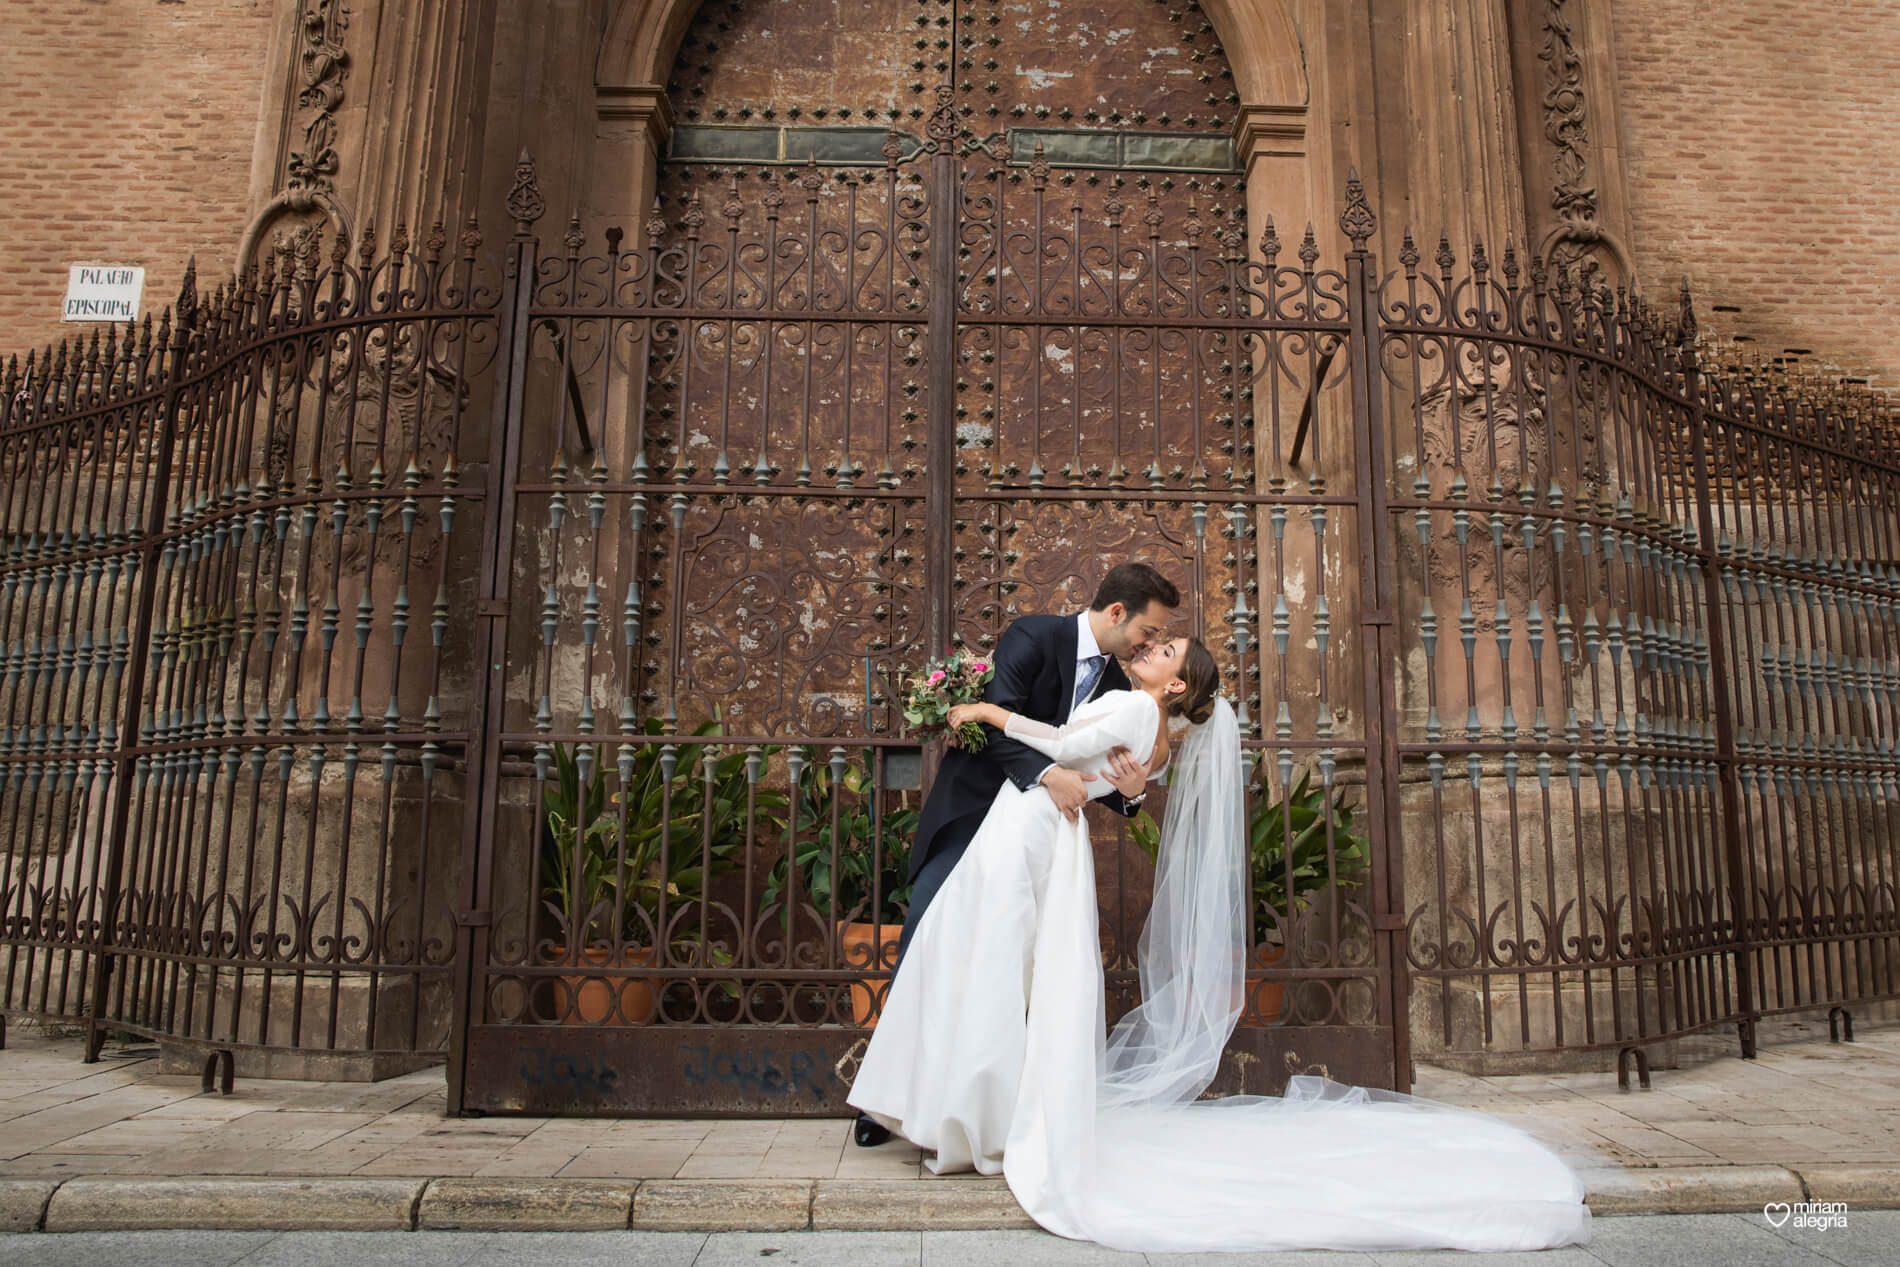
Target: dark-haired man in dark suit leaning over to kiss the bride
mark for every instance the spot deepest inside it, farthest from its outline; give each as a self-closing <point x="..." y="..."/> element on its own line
<point x="1046" y="668"/>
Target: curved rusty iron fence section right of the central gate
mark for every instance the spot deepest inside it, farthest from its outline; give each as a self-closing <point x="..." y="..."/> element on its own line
<point x="1646" y="671"/>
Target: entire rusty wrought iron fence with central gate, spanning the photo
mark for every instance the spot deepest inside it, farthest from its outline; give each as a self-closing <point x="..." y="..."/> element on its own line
<point x="417" y="651"/>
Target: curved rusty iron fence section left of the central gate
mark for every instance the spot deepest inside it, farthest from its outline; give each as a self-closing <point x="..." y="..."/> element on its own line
<point x="237" y="685"/>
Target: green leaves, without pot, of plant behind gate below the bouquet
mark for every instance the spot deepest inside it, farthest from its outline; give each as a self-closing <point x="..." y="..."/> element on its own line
<point x="848" y="789"/>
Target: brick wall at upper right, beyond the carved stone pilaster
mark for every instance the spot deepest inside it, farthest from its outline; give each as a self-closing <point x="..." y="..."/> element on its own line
<point x="1764" y="162"/>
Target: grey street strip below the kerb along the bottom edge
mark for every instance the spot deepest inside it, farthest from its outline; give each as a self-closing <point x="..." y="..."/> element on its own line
<point x="1869" y="1239"/>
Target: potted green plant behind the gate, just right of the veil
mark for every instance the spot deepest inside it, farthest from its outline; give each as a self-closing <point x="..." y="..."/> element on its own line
<point x="1291" y="827"/>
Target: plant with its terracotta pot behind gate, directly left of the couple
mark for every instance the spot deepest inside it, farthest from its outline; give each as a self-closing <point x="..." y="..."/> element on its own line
<point x="835" y="810"/>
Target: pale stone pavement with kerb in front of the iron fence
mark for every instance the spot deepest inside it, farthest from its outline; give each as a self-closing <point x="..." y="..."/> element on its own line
<point x="119" y="1144"/>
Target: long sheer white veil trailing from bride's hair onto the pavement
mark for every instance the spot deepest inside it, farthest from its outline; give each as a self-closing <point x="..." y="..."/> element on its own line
<point x="1325" y="1165"/>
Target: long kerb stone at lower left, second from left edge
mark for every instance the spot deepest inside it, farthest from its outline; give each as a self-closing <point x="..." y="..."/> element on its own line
<point x="235" y="1203"/>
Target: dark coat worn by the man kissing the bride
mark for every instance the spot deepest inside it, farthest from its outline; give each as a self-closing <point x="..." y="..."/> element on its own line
<point x="1036" y="677"/>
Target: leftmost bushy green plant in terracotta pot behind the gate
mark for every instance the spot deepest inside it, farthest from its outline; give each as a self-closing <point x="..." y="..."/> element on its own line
<point x="609" y="880"/>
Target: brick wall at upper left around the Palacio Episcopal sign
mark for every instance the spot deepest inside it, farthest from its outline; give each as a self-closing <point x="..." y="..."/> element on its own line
<point x="126" y="134"/>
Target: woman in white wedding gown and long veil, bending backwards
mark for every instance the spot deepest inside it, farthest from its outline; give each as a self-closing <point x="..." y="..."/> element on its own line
<point x="991" y="1048"/>
